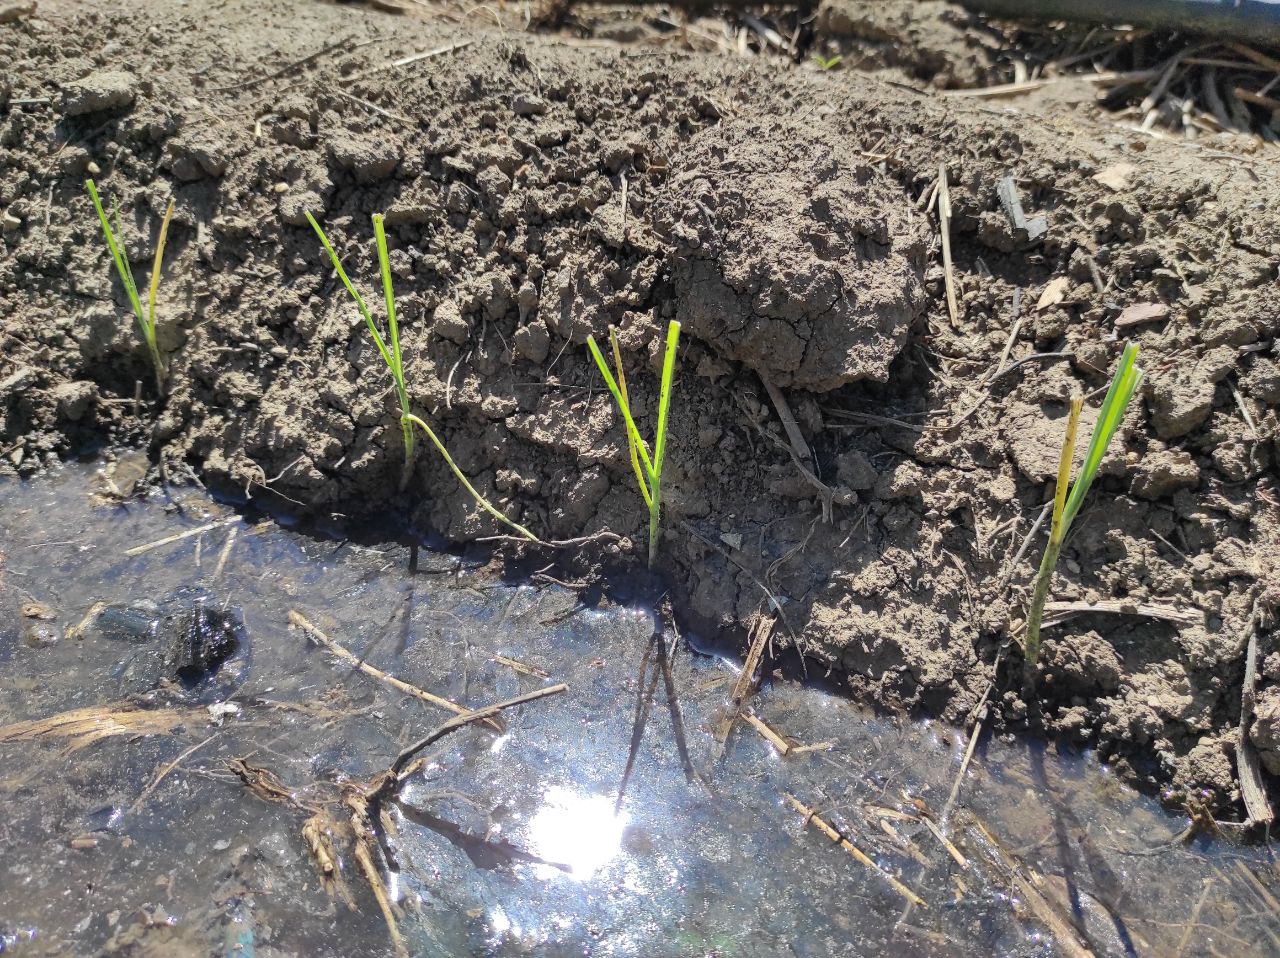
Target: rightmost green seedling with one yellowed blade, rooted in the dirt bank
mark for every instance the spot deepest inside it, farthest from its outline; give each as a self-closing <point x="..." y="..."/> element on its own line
<point x="1067" y="507"/>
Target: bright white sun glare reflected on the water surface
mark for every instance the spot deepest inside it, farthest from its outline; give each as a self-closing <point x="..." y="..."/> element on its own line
<point x="580" y="832"/>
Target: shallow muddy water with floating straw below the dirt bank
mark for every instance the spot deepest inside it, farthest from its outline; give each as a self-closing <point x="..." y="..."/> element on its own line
<point x="126" y="840"/>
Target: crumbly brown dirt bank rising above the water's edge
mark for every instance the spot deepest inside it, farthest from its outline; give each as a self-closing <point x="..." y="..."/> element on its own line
<point x="540" y="189"/>
